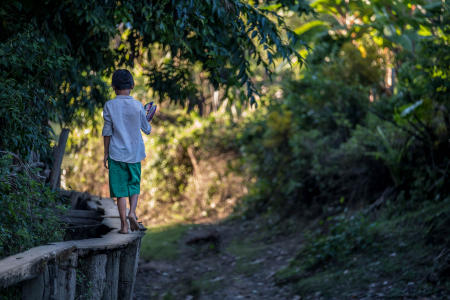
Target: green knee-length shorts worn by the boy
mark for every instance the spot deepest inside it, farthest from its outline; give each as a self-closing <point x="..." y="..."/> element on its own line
<point x="124" y="178"/>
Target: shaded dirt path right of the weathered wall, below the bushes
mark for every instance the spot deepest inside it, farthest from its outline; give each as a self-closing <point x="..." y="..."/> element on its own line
<point x="232" y="260"/>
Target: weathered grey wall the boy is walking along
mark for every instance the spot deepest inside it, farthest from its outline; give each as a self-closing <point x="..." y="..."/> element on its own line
<point x="96" y="268"/>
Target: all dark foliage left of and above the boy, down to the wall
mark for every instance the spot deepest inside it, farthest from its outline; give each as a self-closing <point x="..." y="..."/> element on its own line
<point x="55" y="55"/>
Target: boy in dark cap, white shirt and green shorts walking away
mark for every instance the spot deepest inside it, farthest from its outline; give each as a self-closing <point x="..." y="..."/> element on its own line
<point x="124" y="118"/>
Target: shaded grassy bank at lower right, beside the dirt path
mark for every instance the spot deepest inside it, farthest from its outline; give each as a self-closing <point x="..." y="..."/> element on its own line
<point x="392" y="256"/>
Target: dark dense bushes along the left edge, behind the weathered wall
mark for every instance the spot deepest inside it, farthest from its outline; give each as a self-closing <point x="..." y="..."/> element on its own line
<point x="28" y="208"/>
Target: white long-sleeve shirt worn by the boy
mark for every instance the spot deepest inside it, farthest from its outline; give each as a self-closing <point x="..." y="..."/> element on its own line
<point x="124" y="119"/>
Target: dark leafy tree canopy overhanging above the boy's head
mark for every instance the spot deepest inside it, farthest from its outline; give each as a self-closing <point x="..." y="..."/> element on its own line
<point x="223" y="36"/>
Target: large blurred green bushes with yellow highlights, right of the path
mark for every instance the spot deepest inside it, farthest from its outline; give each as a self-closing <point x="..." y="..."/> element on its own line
<point x="341" y="133"/>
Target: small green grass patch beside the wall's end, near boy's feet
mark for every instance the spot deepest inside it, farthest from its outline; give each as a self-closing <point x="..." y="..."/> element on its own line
<point x="162" y="242"/>
